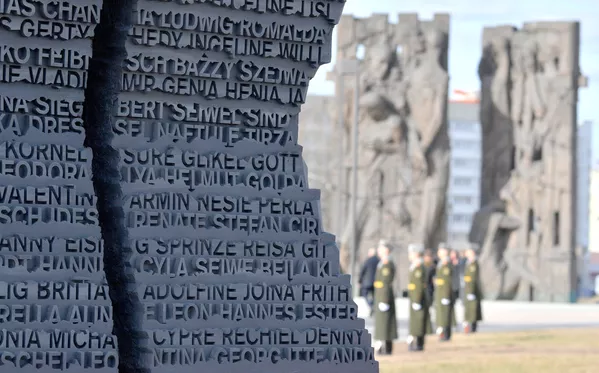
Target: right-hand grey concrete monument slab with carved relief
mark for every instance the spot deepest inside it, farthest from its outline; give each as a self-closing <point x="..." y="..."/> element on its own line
<point x="526" y="227"/>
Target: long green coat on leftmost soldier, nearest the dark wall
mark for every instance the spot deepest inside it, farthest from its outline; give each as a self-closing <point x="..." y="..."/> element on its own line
<point x="385" y="321"/>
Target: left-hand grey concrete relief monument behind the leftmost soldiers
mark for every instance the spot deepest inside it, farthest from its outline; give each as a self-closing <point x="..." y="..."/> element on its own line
<point x="403" y="142"/>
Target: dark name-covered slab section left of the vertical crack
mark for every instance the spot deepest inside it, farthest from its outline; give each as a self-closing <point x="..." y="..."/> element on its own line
<point x="55" y="312"/>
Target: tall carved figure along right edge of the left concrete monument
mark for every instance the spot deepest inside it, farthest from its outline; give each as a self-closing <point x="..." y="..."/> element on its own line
<point x="427" y="101"/>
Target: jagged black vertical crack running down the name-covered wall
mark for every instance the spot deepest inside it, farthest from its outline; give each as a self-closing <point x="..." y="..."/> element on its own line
<point x="101" y="95"/>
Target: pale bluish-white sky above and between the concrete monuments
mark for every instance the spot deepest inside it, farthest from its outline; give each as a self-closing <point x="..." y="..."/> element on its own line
<point x="468" y="17"/>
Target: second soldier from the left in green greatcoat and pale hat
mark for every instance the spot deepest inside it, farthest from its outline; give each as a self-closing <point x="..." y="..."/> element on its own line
<point x="420" y="322"/>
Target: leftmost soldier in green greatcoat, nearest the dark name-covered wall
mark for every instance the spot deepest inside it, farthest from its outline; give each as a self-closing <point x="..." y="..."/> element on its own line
<point x="385" y="320"/>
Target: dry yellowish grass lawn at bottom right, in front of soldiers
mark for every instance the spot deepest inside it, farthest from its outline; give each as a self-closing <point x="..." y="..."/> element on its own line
<point x="558" y="351"/>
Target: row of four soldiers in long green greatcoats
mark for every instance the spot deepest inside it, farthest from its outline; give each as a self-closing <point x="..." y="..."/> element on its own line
<point x="431" y="285"/>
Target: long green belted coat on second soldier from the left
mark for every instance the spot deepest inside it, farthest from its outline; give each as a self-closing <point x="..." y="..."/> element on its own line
<point x="420" y="321"/>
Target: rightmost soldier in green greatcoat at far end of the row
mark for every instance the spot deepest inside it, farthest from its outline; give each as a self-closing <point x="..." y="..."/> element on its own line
<point x="472" y="290"/>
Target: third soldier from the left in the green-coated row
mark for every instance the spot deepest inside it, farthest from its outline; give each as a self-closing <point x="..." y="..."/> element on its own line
<point x="444" y="315"/>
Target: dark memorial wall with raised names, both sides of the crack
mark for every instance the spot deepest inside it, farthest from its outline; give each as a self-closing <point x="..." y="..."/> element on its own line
<point x="232" y="267"/>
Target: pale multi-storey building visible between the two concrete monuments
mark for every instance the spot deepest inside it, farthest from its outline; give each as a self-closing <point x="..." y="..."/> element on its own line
<point x="463" y="193"/>
